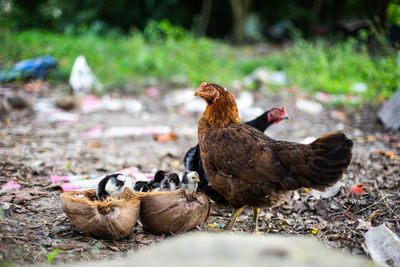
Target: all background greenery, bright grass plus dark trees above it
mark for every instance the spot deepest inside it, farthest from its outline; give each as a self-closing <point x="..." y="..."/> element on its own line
<point x="133" y="44"/>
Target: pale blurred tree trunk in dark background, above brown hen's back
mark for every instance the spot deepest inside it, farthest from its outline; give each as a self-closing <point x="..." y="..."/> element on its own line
<point x="240" y="9"/>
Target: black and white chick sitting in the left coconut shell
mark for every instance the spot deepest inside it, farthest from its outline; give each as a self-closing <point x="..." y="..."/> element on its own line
<point x="111" y="185"/>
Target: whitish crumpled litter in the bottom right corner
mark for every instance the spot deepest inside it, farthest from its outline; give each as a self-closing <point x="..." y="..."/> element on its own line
<point x="383" y="246"/>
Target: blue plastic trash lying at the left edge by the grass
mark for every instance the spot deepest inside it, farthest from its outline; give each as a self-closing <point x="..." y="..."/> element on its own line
<point x="36" y="68"/>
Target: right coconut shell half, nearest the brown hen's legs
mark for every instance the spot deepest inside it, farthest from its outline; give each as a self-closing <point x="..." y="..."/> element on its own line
<point x="172" y="212"/>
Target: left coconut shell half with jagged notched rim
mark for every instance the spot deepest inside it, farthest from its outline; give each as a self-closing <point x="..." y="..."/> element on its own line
<point x="110" y="219"/>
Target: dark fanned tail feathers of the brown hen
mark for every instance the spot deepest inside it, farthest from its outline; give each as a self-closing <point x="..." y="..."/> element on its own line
<point x="329" y="157"/>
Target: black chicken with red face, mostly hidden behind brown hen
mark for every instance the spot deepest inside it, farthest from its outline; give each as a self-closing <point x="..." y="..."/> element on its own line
<point x="192" y="160"/>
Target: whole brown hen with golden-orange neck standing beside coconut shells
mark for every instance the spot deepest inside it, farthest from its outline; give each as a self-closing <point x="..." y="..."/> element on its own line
<point x="249" y="168"/>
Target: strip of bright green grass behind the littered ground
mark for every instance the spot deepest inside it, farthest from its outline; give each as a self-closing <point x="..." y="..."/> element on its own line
<point x="163" y="52"/>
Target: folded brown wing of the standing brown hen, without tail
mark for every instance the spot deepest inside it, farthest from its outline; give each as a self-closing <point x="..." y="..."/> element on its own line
<point x="241" y="151"/>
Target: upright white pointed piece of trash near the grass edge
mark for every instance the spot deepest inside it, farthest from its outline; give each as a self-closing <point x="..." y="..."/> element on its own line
<point x="82" y="79"/>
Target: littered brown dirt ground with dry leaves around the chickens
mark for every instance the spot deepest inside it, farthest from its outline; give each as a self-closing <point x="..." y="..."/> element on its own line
<point x="34" y="228"/>
